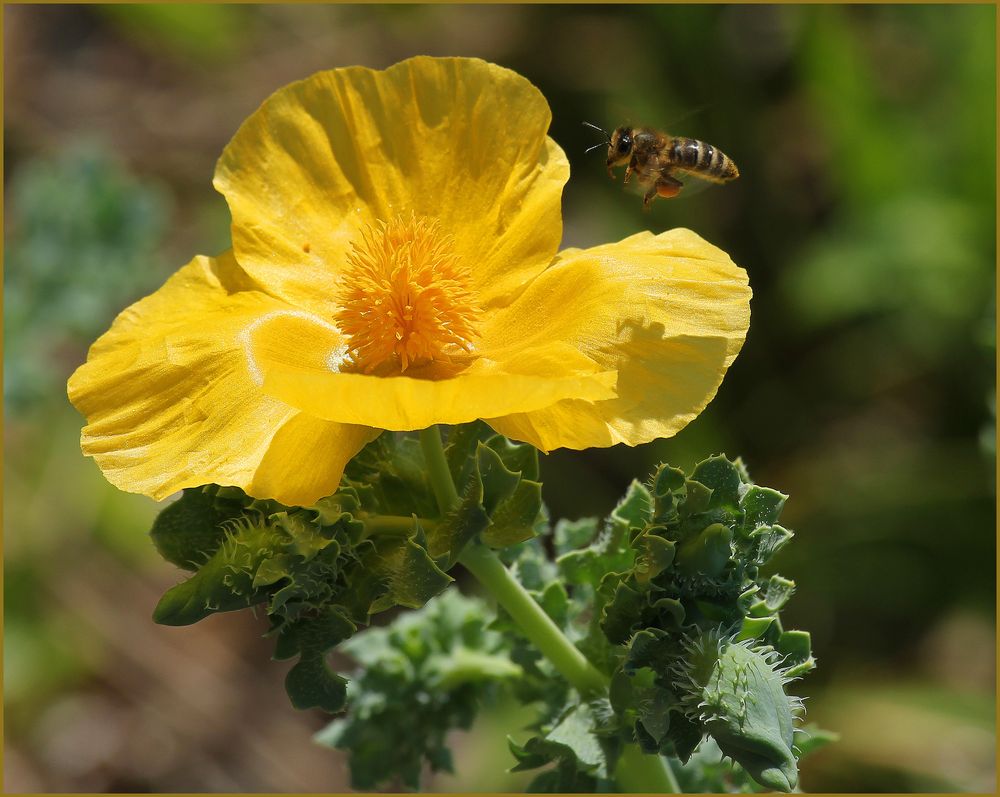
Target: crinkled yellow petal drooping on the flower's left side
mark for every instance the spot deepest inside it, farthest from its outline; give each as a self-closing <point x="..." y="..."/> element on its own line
<point x="172" y="397"/>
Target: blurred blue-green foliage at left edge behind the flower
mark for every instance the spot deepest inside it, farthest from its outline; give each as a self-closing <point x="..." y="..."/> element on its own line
<point x="82" y="240"/>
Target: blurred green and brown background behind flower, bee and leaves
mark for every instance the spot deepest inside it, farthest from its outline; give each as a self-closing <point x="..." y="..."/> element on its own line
<point x="865" y="215"/>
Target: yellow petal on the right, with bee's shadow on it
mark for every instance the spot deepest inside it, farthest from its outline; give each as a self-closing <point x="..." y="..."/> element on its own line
<point x="668" y="312"/>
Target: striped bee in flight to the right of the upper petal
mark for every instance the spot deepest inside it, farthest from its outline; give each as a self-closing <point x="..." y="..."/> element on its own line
<point x="655" y="157"/>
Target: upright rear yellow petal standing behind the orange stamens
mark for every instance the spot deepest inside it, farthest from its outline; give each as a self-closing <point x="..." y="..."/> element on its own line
<point x="454" y="139"/>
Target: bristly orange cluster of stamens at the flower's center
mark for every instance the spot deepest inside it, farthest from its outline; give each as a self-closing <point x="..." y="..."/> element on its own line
<point x="406" y="298"/>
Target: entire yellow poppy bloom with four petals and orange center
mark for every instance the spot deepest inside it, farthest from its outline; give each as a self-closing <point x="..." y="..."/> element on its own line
<point x="394" y="266"/>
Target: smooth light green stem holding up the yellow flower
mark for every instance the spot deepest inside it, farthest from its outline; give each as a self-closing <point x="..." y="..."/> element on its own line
<point x="636" y="771"/>
